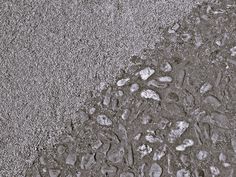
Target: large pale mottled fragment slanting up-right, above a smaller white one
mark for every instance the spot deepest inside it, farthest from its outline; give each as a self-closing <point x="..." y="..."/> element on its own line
<point x="178" y="130"/>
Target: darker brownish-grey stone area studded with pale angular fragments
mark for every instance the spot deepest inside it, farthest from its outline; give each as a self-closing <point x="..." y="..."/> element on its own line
<point x="172" y="114"/>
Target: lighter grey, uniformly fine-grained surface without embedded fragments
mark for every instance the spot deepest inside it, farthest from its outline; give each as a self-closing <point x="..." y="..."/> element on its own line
<point x="54" y="55"/>
